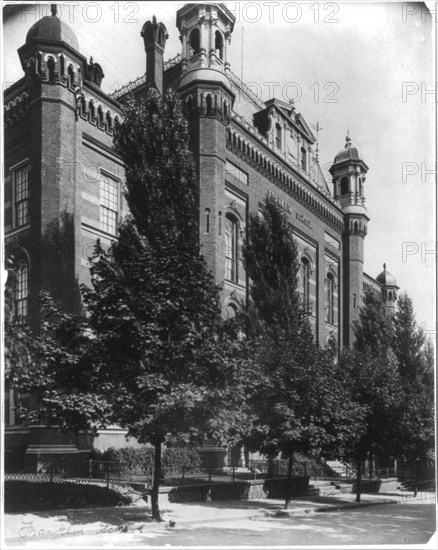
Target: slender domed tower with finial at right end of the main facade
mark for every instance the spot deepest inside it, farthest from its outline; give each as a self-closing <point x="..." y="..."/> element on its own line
<point x="349" y="174"/>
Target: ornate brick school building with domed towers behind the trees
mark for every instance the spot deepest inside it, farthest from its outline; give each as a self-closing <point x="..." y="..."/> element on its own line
<point x="63" y="182"/>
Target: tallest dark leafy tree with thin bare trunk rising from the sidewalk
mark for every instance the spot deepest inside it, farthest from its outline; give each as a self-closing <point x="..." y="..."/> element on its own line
<point x="154" y="307"/>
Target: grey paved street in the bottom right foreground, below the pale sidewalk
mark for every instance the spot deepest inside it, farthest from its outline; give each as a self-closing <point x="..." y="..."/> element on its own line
<point x="386" y="524"/>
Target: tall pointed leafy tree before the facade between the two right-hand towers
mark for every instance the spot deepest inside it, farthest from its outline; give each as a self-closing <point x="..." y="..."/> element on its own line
<point x="296" y="404"/>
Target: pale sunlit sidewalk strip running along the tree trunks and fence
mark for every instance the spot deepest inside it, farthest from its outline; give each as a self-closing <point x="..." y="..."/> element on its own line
<point x="21" y="529"/>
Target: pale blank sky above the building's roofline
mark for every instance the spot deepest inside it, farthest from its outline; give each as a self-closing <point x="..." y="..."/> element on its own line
<point x="367" y="67"/>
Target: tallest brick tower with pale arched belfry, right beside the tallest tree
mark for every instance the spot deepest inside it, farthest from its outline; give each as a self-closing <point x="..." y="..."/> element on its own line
<point x="205" y="88"/>
